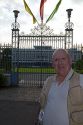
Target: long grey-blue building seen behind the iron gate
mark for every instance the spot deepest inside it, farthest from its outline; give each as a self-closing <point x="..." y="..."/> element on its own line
<point x="39" y="56"/>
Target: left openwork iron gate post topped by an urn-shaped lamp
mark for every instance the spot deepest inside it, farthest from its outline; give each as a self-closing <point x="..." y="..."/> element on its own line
<point x="15" y="51"/>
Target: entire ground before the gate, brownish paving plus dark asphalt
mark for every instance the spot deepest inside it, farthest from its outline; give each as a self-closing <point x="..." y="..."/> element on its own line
<point x="19" y="105"/>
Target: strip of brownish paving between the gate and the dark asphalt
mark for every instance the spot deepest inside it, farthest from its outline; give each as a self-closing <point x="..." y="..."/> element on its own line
<point x="20" y="93"/>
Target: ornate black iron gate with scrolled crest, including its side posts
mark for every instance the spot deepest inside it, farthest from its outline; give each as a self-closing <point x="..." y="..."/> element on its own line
<point x="31" y="54"/>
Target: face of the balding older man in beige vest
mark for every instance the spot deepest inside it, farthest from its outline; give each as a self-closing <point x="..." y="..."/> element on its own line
<point x="61" y="63"/>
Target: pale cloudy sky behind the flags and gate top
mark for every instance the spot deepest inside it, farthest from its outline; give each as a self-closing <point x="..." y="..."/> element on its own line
<point x="57" y="23"/>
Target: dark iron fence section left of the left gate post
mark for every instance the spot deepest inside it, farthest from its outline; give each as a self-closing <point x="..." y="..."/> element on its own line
<point x="5" y="58"/>
